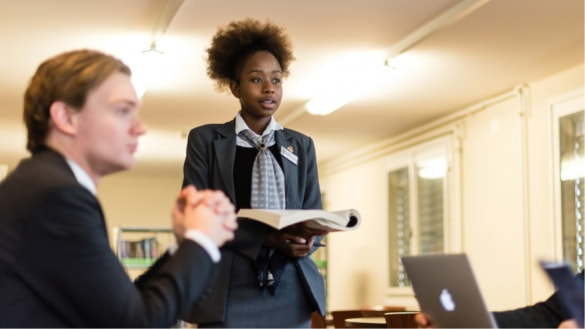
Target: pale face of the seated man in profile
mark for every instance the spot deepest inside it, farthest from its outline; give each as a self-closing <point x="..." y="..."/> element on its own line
<point x="108" y="127"/>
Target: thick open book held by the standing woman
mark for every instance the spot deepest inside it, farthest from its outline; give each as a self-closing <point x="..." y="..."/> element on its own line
<point x="330" y="221"/>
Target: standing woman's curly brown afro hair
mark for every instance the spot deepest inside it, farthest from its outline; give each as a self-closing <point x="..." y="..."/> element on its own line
<point x="237" y="41"/>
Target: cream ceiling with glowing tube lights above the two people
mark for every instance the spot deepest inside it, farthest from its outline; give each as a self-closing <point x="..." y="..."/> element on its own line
<point x="487" y="49"/>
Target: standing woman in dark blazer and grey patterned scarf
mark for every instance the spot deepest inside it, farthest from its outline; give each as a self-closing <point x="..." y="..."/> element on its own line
<point x="266" y="276"/>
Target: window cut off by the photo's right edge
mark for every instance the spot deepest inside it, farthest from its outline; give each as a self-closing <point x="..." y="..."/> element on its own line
<point x="568" y="117"/>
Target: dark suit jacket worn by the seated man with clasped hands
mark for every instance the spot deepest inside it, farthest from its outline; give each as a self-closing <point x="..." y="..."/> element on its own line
<point x="57" y="268"/>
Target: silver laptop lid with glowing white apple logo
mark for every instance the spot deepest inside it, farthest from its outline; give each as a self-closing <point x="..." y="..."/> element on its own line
<point x="447" y="292"/>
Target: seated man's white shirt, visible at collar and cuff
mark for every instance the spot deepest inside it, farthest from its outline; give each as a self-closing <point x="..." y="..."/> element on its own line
<point x="83" y="178"/>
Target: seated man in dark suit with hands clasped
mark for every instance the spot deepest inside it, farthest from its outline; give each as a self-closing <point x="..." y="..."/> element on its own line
<point x="56" y="266"/>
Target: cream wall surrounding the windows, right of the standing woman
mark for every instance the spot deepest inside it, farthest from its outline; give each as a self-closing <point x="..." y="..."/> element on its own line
<point x="505" y="203"/>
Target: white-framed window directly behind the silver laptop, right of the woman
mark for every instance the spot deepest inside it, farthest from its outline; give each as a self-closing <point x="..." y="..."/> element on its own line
<point x="417" y="185"/>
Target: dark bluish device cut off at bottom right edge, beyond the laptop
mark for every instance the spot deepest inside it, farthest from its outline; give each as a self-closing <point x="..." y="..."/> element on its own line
<point x="569" y="289"/>
